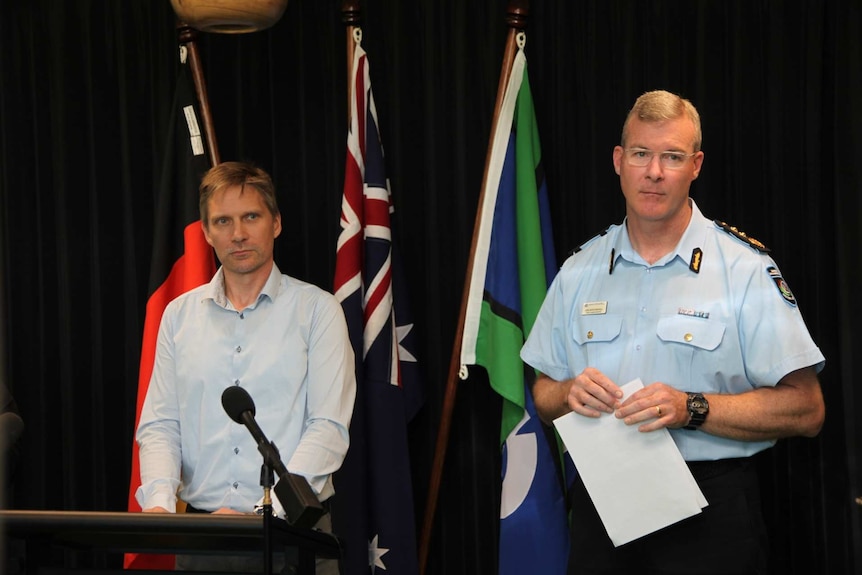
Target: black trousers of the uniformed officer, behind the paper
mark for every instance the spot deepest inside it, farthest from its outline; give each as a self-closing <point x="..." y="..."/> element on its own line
<point x="727" y="537"/>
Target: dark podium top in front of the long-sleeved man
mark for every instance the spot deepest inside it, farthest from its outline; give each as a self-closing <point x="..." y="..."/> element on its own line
<point x="185" y="533"/>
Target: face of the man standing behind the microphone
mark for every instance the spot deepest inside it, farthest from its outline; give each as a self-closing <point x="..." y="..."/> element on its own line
<point x="241" y="229"/>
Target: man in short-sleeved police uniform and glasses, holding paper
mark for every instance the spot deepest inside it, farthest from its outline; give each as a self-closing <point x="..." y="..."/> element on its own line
<point x="701" y="314"/>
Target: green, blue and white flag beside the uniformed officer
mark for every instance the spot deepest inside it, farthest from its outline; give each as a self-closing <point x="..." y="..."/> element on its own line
<point x="514" y="264"/>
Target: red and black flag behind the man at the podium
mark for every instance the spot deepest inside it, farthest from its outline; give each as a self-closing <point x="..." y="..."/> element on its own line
<point x="181" y="260"/>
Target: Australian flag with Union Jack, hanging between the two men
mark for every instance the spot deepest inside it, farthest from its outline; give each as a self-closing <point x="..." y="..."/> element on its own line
<point x="372" y="510"/>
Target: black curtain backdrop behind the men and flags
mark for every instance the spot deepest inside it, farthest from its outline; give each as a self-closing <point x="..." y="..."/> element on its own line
<point x="85" y="94"/>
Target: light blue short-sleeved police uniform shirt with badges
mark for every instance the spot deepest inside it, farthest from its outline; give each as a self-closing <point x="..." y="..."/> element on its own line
<point x="713" y="316"/>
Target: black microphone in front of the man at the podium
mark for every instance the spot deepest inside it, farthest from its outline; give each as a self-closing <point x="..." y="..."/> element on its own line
<point x="293" y="491"/>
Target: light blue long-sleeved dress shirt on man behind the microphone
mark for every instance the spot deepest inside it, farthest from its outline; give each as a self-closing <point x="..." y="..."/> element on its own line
<point x="290" y="351"/>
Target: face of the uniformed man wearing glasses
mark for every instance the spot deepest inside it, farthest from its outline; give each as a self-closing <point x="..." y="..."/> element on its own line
<point x="655" y="192"/>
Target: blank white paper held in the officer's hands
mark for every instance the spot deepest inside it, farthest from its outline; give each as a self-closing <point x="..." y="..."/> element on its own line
<point x="638" y="481"/>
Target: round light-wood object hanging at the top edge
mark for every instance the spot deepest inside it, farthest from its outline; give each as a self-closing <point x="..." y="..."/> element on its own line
<point x="229" y="16"/>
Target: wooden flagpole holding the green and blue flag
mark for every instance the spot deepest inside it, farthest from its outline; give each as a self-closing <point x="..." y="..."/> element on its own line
<point x="516" y="18"/>
